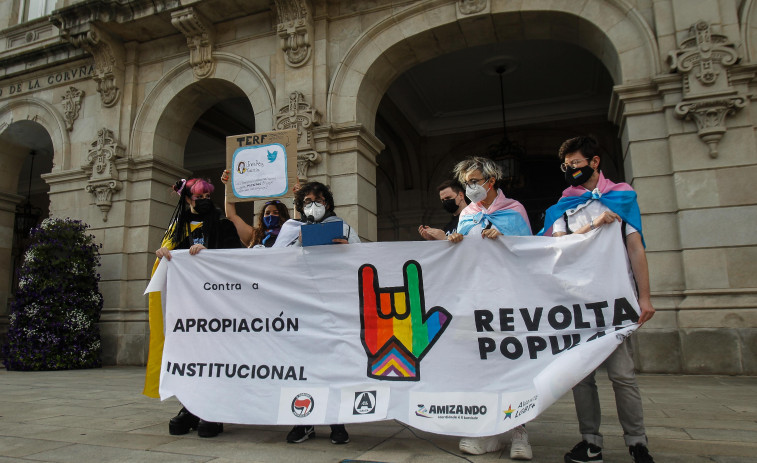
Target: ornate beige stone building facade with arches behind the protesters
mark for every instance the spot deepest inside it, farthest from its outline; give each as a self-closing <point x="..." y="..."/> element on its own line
<point x="105" y="103"/>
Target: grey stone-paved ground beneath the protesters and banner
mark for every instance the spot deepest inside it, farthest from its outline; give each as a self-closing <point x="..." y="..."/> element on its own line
<point x="100" y="416"/>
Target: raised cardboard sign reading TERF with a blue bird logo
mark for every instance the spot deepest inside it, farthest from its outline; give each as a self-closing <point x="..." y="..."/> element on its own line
<point x="263" y="165"/>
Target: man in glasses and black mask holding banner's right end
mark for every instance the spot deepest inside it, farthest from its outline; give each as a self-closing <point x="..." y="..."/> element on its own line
<point x="590" y="202"/>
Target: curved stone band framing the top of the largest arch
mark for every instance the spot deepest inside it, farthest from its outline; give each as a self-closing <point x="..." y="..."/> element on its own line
<point x="610" y="30"/>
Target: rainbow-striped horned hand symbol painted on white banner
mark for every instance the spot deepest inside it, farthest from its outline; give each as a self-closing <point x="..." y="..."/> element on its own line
<point x="396" y="330"/>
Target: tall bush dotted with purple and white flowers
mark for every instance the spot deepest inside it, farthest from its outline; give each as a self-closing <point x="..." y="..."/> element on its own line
<point x="53" y="320"/>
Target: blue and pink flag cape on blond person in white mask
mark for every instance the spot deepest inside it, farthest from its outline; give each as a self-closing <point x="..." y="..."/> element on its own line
<point x="507" y="215"/>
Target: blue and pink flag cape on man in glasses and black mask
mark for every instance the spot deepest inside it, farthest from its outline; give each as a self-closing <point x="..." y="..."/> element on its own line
<point x="618" y="197"/>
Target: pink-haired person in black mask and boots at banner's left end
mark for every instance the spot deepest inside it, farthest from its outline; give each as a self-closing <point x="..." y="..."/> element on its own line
<point x="196" y="224"/>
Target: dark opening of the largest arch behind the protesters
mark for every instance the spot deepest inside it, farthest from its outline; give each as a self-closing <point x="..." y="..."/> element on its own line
<point x="552" y="91"/>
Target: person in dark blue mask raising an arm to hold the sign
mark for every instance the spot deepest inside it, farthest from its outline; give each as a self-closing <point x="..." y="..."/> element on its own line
<point x="270" y="219"/>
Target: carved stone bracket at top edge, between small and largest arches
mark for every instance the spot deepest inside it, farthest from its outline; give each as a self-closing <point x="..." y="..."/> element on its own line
<point x="295" y="30"/>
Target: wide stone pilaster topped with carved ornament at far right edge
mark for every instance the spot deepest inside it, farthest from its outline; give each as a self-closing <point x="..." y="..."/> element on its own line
<point x="714" y="160"/>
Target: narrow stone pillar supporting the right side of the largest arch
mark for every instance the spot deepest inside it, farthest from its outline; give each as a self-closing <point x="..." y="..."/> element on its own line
<point x="648" y="168"/>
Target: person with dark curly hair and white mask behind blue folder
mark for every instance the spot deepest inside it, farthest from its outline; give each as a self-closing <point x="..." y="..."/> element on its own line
<point x="315" y="204"/>
